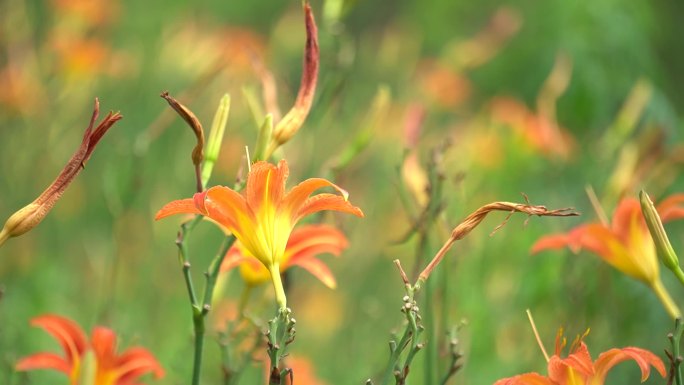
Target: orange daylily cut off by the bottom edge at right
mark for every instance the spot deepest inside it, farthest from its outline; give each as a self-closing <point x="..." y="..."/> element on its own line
<point x="579" y="369"/>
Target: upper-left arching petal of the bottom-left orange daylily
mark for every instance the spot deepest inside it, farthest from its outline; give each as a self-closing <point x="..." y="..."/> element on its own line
<point x="66" y="332"/>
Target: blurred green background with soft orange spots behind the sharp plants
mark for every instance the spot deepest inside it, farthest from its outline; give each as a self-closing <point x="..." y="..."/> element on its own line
<point x="543" y="98"/>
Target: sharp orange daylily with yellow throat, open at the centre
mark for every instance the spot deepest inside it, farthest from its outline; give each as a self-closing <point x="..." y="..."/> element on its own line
<point x="262" y="218"/>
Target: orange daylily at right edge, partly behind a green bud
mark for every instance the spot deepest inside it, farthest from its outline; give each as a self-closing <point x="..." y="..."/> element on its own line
<point x="625" y="243"/>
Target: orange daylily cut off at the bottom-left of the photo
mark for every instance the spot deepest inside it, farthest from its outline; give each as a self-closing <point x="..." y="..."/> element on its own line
<point x="111" y="368"/>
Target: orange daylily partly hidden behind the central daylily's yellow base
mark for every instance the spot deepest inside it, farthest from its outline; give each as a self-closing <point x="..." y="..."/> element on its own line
<point x="304" y="245"/>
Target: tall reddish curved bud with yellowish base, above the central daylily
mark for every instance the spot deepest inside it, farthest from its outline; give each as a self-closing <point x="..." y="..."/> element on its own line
<point x="293" y="120"/>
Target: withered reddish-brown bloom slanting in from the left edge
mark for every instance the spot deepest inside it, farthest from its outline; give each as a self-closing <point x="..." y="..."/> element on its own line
<point x="31" y="215"/>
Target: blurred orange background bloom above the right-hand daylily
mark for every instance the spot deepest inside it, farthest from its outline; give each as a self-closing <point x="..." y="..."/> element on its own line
<point x="538" y="130"/>
